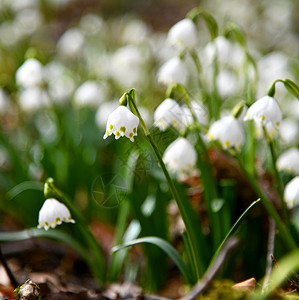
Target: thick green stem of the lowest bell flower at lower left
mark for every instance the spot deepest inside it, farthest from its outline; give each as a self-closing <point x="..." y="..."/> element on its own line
<point x="52" y="191"/>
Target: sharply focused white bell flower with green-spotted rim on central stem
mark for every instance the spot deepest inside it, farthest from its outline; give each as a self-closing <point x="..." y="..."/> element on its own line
<point x="122" y="122"/>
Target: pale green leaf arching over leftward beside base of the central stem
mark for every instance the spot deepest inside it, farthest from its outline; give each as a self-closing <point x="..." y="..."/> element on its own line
<point x="166" y="247"/>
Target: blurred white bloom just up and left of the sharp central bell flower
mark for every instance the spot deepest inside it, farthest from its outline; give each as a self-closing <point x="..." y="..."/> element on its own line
<point x="90" y="94"/>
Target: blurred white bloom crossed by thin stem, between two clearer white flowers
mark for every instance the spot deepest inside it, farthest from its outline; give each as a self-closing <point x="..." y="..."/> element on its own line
<point x="200" y="113"/>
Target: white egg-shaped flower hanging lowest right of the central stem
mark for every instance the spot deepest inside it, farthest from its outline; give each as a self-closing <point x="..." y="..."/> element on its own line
<point x="180" y="156"/>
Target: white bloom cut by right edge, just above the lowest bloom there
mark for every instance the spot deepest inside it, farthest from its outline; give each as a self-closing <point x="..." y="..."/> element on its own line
<point x="289" y="161"/>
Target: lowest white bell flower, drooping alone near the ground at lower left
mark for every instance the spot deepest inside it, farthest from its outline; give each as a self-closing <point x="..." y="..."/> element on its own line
<point x="53" y="213"/>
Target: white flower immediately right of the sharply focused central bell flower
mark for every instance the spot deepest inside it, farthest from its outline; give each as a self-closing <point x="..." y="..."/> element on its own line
<point x="168" y="113"/>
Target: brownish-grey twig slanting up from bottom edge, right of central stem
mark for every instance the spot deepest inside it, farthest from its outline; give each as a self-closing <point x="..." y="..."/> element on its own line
<point x="212" y="271"/>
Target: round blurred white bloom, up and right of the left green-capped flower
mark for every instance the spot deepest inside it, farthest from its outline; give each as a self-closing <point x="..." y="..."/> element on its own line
<point x="71" y="42"/>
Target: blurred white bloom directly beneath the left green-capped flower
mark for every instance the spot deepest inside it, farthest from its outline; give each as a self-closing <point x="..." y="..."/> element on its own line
<point x="33" y="99"/>
